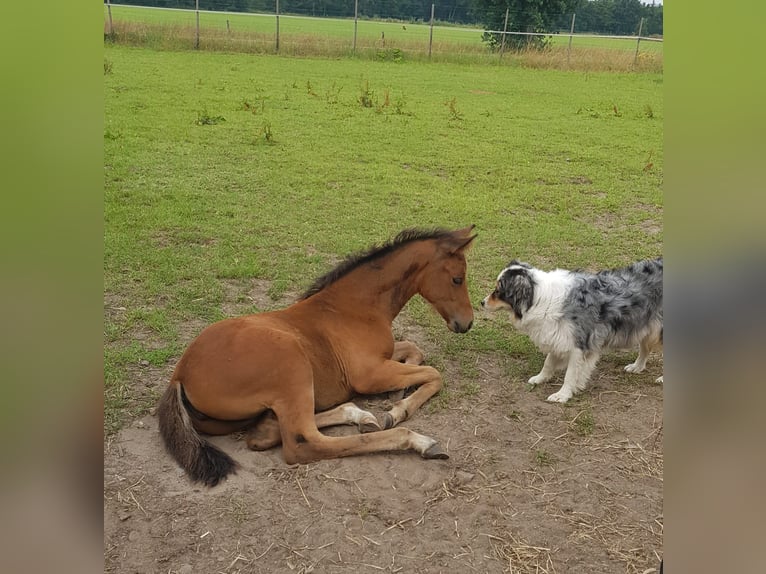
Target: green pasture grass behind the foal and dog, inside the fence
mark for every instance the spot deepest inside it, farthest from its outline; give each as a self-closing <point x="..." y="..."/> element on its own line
<point x="557" y="168"/>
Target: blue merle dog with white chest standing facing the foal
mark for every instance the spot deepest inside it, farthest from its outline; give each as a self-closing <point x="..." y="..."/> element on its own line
<point x="574" y="316"/>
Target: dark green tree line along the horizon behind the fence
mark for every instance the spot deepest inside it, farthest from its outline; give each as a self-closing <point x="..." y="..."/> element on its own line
<point x="615" y="17"/>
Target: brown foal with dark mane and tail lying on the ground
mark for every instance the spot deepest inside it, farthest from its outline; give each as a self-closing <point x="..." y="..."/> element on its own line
<point x="283" y="375"/>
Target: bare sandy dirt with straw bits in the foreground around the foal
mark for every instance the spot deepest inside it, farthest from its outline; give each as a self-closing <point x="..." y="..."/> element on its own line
<point x="529" y="487"/>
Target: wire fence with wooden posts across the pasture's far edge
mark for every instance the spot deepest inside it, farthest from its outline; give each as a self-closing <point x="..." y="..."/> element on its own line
<point x="292" y="34"/>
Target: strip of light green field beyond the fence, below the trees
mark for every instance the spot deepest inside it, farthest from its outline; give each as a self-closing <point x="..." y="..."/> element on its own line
<point x="175" y="29"/>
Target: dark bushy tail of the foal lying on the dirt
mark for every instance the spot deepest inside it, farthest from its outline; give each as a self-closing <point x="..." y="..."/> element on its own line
<point x="202" y="461"/>
